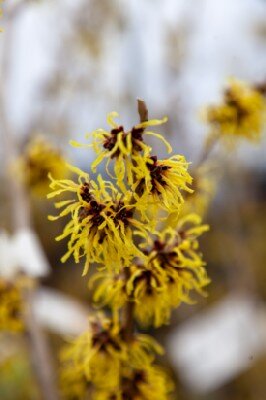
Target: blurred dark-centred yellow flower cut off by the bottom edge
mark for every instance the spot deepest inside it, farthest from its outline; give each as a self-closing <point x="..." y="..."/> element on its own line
<point x="139" y="384"/>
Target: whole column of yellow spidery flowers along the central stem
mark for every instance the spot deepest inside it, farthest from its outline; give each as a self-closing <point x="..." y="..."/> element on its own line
<point x="146" y="265"/>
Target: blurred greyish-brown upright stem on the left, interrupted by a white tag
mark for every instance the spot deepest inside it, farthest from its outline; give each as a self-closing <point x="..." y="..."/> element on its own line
<point x="20" y="212"/>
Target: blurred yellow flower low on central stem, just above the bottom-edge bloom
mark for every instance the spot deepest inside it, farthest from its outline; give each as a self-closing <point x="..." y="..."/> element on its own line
<point x="98" y="356"/>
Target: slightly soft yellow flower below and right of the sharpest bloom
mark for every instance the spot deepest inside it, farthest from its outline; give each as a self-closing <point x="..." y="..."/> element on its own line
<point x="172" y="267"/>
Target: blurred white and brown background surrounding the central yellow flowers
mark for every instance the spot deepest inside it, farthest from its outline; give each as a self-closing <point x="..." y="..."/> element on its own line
<point x="63" y="66"/>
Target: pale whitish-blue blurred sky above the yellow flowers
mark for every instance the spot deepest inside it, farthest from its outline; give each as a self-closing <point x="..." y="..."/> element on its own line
<point x="213" y="40"/>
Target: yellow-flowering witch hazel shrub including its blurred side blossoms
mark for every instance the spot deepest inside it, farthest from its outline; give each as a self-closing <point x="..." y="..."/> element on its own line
<point x="137" y="233"/>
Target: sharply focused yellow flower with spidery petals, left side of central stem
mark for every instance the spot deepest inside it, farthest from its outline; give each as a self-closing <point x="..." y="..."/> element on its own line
<point x="102" y="221"/>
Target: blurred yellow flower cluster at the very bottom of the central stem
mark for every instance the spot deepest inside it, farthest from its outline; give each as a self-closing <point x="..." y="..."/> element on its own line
<point x="103" y="365"/>
